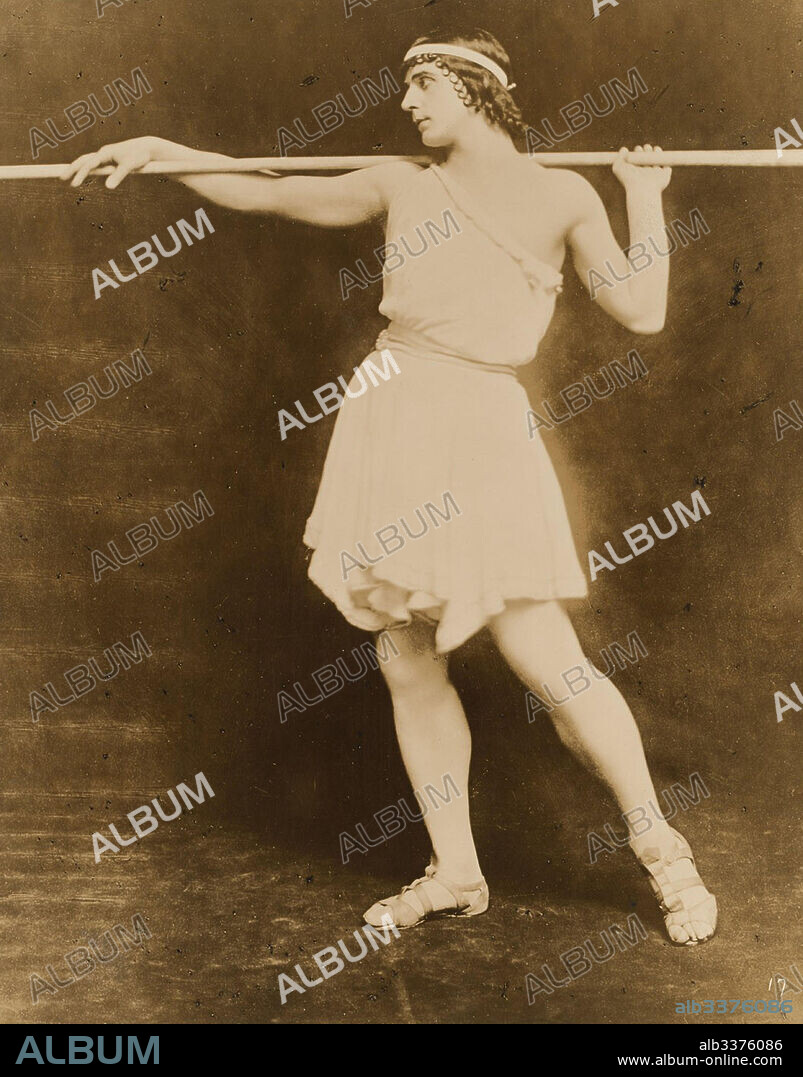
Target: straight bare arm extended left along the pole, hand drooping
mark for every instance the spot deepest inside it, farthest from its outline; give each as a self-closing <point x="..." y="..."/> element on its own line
<point x="330" y="202"/>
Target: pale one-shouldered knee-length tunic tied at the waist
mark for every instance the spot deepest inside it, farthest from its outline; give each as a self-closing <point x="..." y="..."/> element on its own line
<point x="434" y="500"/>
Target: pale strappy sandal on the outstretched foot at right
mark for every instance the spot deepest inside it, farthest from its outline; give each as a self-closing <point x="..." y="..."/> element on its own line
<point x="697" y="922"/>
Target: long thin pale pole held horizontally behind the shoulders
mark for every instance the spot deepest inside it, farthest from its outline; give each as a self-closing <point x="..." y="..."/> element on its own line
<point x="717" y="159"/>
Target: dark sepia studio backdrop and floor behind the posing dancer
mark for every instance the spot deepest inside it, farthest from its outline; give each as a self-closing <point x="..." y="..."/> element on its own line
<point x="249" y="321"/>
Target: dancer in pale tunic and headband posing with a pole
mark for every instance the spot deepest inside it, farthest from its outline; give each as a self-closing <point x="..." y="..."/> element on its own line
<point x="467" y="310"/>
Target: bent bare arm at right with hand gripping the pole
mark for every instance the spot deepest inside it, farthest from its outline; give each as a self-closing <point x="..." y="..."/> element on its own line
<point x="640" y="301"/>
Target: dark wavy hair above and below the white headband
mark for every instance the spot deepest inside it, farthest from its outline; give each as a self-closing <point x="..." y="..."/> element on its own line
<point x="478" y="89"/>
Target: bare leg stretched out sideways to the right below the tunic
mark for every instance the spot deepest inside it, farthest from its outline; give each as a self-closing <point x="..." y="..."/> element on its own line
<point x="539" y="642"/>
